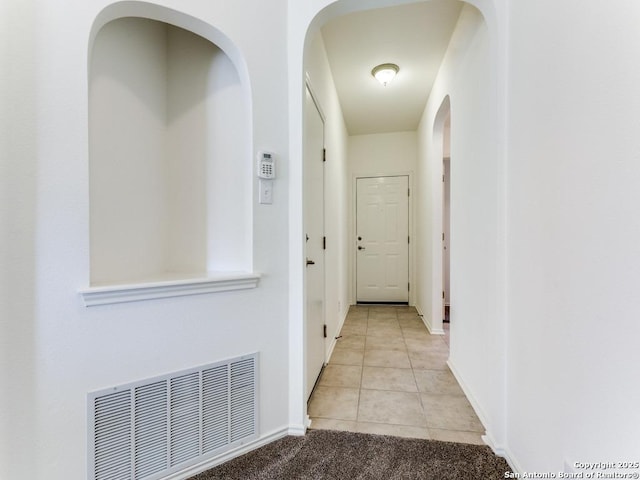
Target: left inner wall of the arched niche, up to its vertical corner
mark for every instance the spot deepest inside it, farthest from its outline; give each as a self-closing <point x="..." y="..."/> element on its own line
<point x="128" y="164"/>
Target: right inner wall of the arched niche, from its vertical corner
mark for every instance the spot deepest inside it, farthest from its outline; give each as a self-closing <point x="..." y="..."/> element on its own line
<point x="210" y="160"/>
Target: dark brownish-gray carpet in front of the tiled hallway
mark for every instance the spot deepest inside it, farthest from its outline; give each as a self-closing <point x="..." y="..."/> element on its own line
<point x="328" y="454"/>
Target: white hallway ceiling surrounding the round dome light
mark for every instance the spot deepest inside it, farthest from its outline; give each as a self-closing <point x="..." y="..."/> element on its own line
<point x="415" y="37"/>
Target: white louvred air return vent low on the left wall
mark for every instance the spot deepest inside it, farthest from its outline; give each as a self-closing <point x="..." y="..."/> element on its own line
<point x="148" y="429"/>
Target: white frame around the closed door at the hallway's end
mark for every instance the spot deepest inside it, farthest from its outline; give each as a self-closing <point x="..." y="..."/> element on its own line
<point x="353" y="224"/>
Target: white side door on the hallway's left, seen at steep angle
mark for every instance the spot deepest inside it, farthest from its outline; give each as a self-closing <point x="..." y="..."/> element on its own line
<point x="314" y="228"/>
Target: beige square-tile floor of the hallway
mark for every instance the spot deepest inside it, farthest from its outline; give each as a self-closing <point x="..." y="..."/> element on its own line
<point x="388" y="375"/>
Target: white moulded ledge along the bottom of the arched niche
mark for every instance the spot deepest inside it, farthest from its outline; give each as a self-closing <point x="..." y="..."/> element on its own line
<point x="158" y="288"/>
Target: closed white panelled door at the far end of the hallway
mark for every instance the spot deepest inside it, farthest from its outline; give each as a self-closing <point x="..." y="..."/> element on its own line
<point x="382" y="239"/>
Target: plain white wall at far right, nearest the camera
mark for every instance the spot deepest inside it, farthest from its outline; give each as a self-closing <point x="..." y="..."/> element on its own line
<point x="574" y="234"/>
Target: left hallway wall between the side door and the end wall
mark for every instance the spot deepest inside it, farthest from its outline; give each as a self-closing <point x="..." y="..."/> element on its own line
<point x="336" y="188"/>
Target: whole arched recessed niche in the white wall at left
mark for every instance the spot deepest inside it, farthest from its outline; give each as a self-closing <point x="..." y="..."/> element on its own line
<point x="170" y="177"/>
